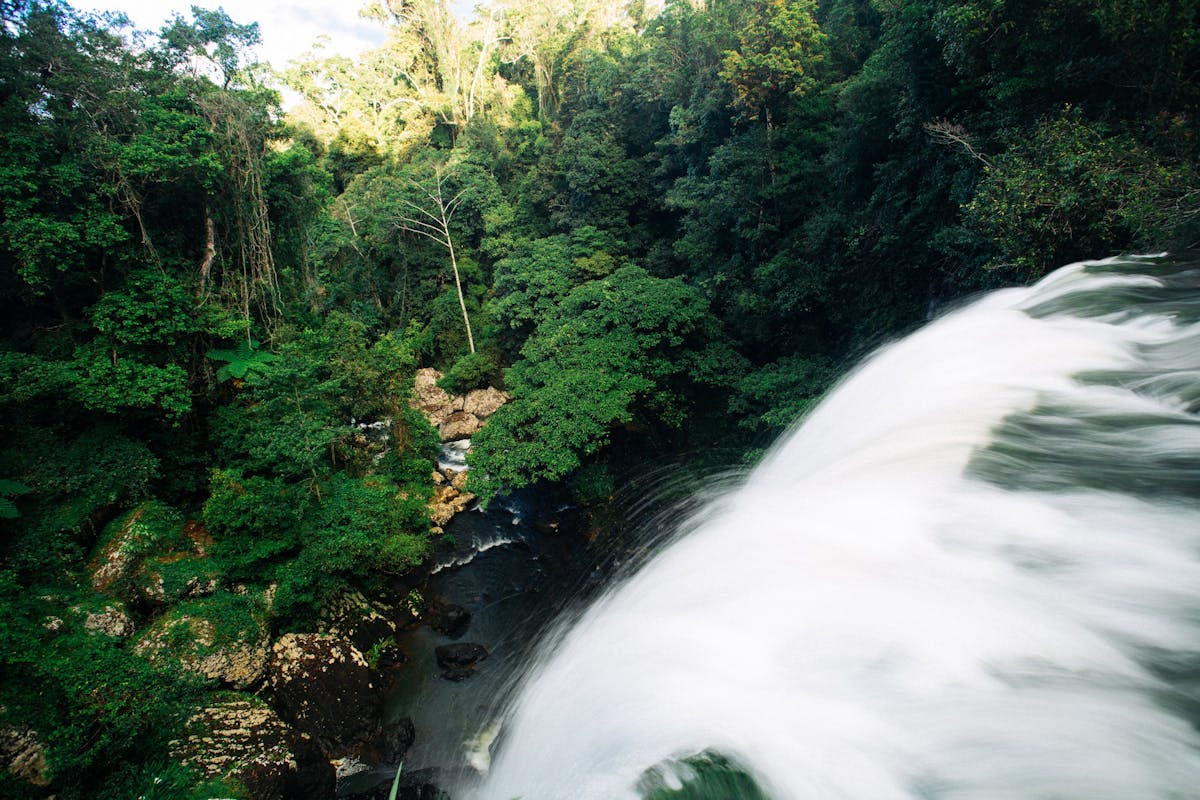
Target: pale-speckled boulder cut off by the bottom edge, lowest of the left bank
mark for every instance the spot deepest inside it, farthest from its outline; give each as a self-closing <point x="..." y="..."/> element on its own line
<point x="243" y="741"/>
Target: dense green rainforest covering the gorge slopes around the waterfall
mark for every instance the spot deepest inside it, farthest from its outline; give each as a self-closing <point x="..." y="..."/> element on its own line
<point x="652" y="224"/>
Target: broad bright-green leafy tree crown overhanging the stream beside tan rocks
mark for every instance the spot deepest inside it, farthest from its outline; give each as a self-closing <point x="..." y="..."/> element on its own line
<point x="622" y="351"/>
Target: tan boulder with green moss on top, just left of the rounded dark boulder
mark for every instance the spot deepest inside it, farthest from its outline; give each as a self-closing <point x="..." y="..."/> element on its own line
<point x="224" y="637"/>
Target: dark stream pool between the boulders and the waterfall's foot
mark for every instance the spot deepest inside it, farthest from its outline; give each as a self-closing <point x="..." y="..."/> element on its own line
<point x="517" y="568"/>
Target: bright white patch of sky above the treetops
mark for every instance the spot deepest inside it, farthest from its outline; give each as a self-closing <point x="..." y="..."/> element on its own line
<point x="289" y="27"/>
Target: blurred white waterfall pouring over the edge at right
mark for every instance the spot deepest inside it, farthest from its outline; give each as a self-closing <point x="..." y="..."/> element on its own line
<point x="973" y="573"/>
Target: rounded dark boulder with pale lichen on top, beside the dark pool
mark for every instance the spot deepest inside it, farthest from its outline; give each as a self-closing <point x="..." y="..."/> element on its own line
<point x="323" y="685"/>
